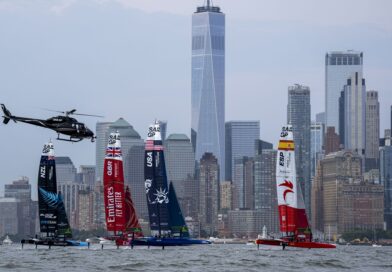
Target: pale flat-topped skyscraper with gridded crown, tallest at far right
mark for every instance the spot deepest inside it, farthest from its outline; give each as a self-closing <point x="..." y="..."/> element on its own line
<point x="339" y="66"/>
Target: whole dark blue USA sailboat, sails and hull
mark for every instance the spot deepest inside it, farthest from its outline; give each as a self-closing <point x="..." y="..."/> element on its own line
<point x="168" y="227"/>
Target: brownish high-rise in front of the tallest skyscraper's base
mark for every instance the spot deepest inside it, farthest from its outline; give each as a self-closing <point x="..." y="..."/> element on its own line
<point x="209" y="193"/>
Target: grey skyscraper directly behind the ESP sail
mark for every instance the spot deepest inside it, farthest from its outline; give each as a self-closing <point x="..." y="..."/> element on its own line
<point x="298" y="115"/>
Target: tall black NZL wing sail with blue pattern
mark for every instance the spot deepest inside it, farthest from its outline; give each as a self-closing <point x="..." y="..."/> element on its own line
<point x="47" y="192"/>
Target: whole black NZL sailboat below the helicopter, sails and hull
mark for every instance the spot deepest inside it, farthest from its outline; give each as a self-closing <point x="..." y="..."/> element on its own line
<point x="54" y="226"/>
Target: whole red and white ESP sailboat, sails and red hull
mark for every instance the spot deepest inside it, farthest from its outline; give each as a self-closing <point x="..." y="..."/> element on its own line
<point x="293" y="221"/>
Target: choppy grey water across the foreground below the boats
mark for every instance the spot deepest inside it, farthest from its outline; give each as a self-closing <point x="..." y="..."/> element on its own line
<point x="195" y="258"/>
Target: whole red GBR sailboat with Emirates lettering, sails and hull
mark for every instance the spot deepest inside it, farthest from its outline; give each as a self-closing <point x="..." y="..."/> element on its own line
<point x="121" y="217"/>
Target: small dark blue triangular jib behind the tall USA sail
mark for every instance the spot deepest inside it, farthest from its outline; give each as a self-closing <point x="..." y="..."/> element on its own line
<point x="177" y="222"/>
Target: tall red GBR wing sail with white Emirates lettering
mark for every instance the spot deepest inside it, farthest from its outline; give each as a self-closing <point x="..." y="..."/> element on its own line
<point x="113" y="179"/>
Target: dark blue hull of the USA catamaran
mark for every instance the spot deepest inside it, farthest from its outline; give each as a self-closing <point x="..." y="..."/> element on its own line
<point x="153" y="241"/>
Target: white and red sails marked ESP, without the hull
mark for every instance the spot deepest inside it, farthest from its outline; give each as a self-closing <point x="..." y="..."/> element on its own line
<point x="292" y="213"/>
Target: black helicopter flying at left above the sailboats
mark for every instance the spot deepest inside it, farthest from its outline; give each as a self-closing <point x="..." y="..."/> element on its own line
<point x="62" y="124"/>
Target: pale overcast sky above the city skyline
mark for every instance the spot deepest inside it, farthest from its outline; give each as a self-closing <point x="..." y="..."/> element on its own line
<point x="132" y="58"/>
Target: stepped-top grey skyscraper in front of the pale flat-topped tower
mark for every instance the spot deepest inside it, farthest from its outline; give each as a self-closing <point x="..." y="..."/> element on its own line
<point x="354" y="93"/>
